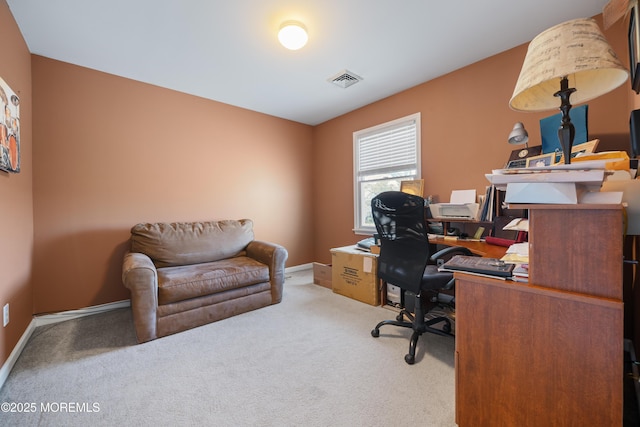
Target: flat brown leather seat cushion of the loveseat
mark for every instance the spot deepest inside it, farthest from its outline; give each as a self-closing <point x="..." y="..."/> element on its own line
<point x="192" y="281"/>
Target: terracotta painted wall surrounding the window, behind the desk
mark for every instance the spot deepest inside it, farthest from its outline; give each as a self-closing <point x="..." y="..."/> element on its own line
<point x="465" y="123"/>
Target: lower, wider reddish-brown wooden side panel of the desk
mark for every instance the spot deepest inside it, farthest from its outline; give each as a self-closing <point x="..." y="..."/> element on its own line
<point x="527" y="356"/>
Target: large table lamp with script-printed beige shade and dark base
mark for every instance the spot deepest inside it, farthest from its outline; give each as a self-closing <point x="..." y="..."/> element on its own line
<point x="569" y="58"/>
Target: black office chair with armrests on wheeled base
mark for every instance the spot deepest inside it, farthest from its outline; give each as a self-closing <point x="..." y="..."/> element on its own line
<point x="405" y="261"/>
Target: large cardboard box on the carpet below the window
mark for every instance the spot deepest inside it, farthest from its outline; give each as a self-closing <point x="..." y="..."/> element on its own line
<point x="354" y="274"/>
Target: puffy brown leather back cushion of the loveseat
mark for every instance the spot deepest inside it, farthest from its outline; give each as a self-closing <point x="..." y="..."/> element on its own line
<point x="183" y="243"/>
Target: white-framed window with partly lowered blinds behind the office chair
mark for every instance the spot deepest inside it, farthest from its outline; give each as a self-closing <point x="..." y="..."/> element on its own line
<point x="384" y="155"/>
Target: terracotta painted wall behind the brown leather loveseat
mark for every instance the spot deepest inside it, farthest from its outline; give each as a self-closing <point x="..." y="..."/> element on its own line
<point x="111" y="152"/>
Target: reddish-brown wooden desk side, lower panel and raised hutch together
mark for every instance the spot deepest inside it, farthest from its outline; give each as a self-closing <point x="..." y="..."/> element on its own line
<point x="549" y="352"/>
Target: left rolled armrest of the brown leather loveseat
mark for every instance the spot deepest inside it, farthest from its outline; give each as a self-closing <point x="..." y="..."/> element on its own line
<point x="139" y="275"/>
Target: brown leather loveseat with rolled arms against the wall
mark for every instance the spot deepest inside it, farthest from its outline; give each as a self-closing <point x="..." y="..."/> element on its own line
<point x="183" y="275"/>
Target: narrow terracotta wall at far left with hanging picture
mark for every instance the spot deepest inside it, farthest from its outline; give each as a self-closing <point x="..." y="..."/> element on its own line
<point x="16" y="220"/>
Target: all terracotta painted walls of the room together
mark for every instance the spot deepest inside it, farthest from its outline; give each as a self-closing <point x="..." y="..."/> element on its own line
<point x="109" y="152"/>
